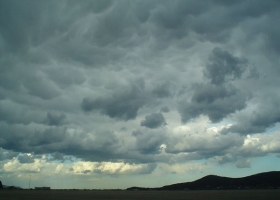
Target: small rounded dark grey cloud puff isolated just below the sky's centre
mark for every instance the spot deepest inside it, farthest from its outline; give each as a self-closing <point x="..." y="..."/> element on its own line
<point x="154" y="120"/>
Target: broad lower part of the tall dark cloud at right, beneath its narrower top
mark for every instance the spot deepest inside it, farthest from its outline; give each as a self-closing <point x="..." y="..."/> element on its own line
<point x="214" y="101"/>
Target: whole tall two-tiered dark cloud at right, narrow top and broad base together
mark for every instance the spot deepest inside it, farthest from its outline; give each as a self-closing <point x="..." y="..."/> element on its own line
<point x="220" y="98"/>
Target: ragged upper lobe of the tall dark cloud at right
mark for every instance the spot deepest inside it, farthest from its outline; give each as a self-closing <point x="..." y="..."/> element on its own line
<point x="223" y="67"/>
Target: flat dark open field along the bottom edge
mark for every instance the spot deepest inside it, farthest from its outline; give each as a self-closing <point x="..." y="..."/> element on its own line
<point x="135" y="195"/>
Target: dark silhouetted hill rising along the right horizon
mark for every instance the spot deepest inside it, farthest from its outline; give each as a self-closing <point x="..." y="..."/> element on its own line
<point x="257" y="181"/>
